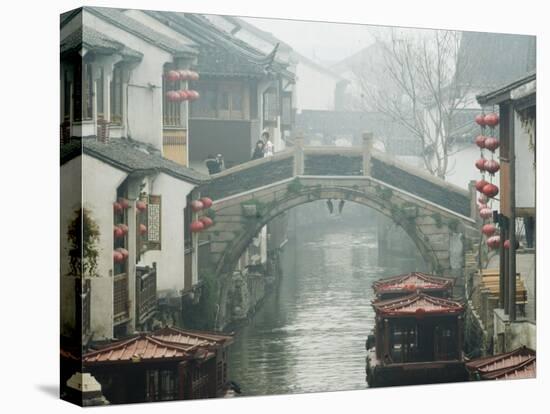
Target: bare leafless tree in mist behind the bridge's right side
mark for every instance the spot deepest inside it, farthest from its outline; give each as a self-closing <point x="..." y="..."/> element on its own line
<point x="418" y="83"/>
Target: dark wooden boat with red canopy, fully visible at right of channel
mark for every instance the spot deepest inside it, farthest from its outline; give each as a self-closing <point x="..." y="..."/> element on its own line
<point x="417" y="340"/>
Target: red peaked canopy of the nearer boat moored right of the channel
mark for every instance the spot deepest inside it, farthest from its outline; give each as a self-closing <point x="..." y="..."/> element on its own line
<point x="417" y="305"/>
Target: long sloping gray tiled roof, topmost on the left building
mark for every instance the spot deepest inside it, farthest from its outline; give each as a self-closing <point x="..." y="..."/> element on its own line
<point x="118" y="18"/>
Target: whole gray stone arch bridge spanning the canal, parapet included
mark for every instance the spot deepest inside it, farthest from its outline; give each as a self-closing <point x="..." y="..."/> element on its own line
<point x="439" y="217"/>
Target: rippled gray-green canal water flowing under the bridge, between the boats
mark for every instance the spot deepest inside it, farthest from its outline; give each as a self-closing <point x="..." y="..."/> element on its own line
<point x="309" y="335"/>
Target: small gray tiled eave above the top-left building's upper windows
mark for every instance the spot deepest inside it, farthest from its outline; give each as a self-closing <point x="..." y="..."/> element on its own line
<point x="95" y="40"/>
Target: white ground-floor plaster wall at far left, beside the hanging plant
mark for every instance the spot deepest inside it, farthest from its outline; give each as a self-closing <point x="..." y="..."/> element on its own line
<point x="99" y="184"/>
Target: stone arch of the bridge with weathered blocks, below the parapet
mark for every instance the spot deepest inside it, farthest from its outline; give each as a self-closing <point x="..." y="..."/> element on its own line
<point x="240" y="218"/>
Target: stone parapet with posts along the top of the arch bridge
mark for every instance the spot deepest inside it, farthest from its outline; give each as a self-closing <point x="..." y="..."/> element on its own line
<point x="338" y="161"/>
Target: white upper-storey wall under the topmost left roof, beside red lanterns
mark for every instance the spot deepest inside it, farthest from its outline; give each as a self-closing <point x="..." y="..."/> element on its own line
<point x="144" y="104"/>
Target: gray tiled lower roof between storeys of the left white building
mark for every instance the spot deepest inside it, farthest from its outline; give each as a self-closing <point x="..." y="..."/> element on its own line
<point x="130" y="156"/>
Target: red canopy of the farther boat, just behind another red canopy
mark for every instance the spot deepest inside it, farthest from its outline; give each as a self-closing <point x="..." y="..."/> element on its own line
<point x="412" y="282"/>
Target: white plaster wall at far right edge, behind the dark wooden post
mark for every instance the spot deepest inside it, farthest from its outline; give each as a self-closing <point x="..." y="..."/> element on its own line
<point x="525" y="168"/>
